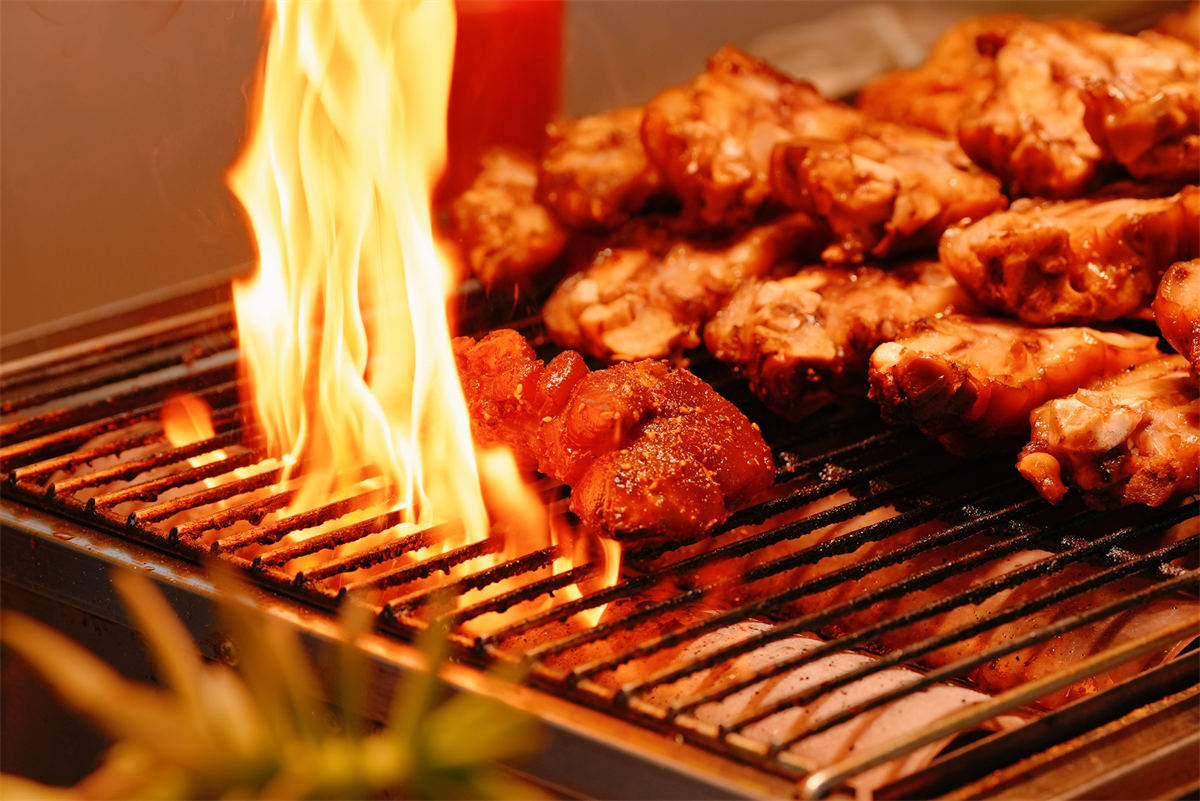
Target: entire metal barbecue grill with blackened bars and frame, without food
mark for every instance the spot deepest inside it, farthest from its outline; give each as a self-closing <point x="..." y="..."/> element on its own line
<point x="91" y="483"/>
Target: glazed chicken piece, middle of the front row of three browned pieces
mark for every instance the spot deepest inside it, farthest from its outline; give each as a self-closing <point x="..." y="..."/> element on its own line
<point x="974" y="382"/>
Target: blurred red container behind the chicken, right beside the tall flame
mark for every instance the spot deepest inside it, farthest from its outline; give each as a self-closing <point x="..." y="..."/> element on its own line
<point x="508" y="82"/>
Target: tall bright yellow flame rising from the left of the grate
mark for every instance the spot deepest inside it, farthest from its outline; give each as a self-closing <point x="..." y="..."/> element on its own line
<point x="344" y="329"/>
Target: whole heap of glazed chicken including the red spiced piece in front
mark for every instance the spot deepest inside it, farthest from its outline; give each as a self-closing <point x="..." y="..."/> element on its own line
<point x="962" y="249"/>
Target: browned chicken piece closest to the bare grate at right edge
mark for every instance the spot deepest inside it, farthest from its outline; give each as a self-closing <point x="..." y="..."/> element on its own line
<point x="1130" y="439"/>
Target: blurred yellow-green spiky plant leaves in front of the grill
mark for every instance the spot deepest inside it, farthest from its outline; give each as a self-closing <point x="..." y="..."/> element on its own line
<point x="259" y="732"/>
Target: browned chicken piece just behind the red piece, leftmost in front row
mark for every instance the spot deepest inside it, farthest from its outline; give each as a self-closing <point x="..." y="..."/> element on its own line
<point x="806" y="341"/>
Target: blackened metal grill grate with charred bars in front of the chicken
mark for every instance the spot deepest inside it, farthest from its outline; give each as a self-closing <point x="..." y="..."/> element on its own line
<point x="863" y="519"/>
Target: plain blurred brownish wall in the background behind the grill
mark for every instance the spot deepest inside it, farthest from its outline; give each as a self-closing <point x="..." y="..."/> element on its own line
<point x="119" y="118"/>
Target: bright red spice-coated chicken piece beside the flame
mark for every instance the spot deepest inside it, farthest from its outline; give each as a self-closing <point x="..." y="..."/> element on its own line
<point x="647" y="449"/>
